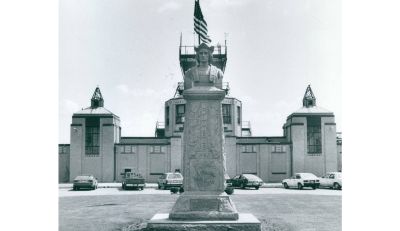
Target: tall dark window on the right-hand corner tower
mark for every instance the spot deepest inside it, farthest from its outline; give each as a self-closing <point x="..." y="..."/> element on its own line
<point x="314" y="135"/>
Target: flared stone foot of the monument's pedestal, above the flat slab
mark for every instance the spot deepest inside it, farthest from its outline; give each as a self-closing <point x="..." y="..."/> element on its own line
<point x="204" y="205"/>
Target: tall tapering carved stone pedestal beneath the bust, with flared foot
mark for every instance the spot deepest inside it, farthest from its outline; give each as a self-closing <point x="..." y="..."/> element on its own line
<point x="203" y="159"/>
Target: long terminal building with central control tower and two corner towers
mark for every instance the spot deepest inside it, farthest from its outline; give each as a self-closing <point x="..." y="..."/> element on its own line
<point x="309" y="142"/>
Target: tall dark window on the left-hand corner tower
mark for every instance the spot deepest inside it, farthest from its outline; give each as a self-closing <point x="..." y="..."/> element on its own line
<point x="92" y="134"/>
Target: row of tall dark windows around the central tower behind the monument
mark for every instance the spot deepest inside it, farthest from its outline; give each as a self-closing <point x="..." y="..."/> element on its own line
<point x="180" y="114"/>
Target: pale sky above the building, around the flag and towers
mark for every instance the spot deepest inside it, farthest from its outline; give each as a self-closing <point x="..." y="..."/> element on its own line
<point x="129" y="48"/>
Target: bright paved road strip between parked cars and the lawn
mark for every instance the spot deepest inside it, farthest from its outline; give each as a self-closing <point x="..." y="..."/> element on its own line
<point x="68" y="192"/>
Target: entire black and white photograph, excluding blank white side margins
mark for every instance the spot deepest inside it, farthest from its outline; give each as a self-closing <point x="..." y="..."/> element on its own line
<point x="200" y="115"/>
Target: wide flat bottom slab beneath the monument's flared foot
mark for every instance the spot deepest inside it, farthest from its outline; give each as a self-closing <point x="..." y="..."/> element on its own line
<point x="246" y="222"/>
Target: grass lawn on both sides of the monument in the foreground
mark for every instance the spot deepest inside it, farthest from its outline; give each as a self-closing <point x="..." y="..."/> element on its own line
<point x="130" y="212"/>
